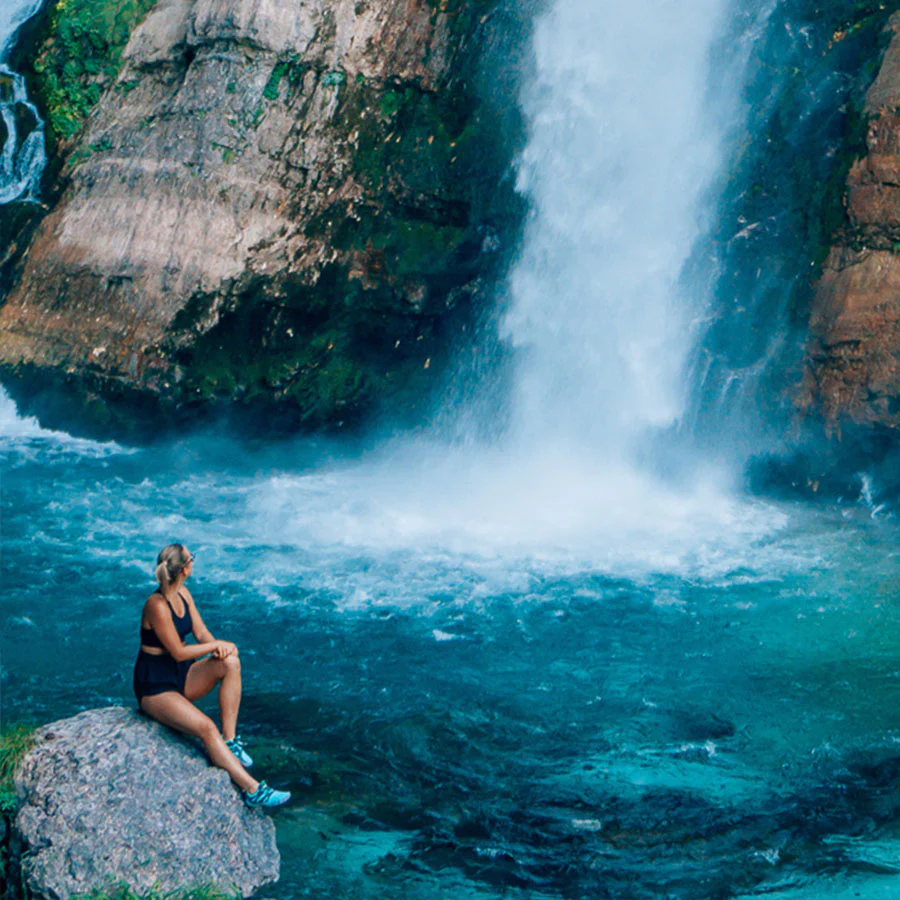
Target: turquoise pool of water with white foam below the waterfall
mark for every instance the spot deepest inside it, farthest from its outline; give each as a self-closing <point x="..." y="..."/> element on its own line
<point x="696" y="698"/>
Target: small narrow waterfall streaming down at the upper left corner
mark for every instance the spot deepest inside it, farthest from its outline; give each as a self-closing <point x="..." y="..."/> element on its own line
<point x="23" y="156"/>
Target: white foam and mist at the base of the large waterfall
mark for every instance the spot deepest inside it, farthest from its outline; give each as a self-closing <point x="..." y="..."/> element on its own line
<point x="549" y="512"/>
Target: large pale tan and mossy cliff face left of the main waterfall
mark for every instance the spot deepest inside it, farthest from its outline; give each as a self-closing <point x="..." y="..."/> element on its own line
<point x="289" y="204"/>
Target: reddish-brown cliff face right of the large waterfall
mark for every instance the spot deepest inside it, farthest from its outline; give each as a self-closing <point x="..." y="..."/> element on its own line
<point x="852" y="374"/>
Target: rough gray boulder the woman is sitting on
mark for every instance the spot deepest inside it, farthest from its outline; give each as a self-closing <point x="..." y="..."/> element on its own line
<point x="110" y="796"/>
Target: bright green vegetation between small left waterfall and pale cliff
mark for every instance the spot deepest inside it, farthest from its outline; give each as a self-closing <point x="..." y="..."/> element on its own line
<point x="81" y="57"/>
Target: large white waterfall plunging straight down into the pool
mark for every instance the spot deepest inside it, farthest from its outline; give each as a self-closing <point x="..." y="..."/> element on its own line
<point x="622" y="149"/>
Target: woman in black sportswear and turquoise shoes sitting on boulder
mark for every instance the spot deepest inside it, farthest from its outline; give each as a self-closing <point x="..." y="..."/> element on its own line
<point x="170" y="675"/>
